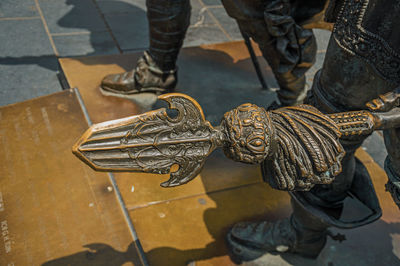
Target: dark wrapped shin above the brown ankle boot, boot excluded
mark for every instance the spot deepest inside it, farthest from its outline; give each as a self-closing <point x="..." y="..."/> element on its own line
<point x="168" y="22"/>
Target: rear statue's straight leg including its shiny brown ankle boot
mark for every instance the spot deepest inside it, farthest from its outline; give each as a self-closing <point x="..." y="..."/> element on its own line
<point x="156" y="70"/>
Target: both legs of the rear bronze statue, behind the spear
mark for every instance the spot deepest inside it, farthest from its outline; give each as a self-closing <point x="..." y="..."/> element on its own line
<point x="289" y="49"/>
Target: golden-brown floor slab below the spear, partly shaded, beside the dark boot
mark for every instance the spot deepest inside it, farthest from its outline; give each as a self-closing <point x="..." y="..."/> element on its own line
<point x="193" y="229"/>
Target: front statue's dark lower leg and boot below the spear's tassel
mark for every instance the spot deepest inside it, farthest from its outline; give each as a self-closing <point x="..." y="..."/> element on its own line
<point x="305" y="232"/>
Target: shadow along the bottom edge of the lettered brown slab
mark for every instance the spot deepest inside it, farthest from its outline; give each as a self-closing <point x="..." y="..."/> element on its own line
<point x="98" y="254"/>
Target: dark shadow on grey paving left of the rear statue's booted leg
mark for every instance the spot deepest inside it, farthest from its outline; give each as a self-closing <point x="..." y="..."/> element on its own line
<point x="133" y="29"/>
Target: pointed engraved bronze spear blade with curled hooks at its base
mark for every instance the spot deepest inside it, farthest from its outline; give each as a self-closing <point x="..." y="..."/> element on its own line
<point x="153" y="142"/>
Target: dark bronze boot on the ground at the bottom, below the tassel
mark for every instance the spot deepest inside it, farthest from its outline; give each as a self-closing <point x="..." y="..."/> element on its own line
<point x="302" y="233"/>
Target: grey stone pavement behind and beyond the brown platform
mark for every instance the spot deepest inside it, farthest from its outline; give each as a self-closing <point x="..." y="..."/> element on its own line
<point x="35" y="33"/>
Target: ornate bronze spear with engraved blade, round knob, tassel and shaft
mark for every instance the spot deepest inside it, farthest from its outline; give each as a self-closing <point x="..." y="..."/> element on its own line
<point x="298" y="141"/>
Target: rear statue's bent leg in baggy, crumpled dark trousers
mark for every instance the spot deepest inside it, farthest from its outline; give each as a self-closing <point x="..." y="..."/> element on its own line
<point x="289" y="49"/>
